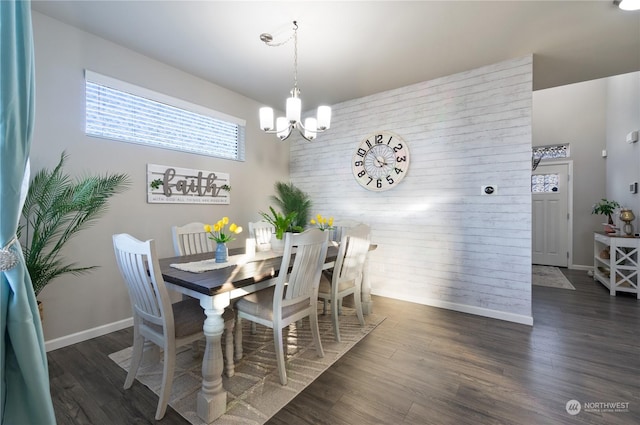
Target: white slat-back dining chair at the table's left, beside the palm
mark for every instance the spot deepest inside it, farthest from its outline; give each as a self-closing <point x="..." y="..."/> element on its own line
<point x="155" y="318"/>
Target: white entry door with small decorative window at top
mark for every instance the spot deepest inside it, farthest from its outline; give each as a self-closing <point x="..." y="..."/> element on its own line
<point x="550" y="218"/>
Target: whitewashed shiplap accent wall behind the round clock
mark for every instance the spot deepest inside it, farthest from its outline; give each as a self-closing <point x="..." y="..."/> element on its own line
<point x="441" y="242"/>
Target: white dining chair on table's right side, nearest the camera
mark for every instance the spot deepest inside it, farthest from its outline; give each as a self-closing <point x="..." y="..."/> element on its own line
<point x="295" y="294"/>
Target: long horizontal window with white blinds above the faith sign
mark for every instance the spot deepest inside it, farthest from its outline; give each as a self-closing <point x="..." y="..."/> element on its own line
<point x="127" y="113"/>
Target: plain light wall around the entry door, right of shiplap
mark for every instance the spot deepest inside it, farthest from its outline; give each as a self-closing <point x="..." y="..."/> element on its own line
<point x="592" y="116"/>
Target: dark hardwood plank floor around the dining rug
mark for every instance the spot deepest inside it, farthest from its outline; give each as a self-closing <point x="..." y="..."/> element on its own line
<point x="424" y="365"/>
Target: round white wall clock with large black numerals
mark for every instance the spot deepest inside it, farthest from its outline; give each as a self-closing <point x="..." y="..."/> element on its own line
<point x="381" y="161"/>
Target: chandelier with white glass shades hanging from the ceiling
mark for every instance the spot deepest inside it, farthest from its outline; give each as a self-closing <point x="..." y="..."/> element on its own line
<point x="285" y="125"/>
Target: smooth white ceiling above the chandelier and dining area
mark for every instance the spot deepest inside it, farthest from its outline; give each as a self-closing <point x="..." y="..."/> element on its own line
<point x="350" y="49"/>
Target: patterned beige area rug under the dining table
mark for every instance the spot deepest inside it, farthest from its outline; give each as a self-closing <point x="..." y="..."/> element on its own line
<point x="254" y="393"/>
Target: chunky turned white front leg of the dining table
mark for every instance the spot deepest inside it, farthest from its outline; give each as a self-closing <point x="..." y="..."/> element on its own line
<point x="212" y="397"/>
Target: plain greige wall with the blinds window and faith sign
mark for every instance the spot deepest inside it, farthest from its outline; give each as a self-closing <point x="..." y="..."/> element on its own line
<point x="77" y="304"/>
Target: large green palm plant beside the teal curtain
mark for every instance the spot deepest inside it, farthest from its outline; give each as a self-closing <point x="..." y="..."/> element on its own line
<point x="55" y="209"/>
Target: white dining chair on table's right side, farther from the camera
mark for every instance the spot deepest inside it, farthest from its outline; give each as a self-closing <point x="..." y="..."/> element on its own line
<point x="346" y="277"/>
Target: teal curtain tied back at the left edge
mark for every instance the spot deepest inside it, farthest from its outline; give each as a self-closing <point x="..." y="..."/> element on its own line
<point x="24" y="393"/>
